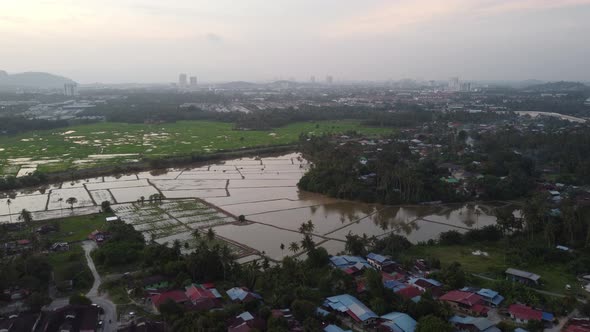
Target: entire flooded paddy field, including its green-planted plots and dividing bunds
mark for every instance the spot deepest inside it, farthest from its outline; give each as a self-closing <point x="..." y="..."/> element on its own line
<point x="264" y="190"/>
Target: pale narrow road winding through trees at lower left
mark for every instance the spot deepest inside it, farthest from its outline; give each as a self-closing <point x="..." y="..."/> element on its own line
<point x="110" y="309"/>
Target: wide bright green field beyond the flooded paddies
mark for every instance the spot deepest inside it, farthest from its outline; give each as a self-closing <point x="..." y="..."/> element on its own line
<point x="65" y="148"/>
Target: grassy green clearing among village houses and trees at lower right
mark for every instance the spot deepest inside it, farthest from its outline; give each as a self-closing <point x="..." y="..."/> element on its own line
<point x="554" y="277"/>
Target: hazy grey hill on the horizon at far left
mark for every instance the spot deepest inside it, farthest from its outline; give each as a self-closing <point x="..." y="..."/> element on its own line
<point x="32" y="80"/>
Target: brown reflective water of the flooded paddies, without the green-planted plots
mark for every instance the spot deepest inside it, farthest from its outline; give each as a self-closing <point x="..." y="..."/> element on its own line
<point x="263" y="189"/>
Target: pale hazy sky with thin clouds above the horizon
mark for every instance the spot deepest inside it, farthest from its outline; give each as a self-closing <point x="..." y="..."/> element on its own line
<point x="218" y="40"/>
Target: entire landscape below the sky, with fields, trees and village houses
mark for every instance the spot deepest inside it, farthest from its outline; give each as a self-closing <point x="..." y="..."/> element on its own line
<point x="321" y="205"/>
